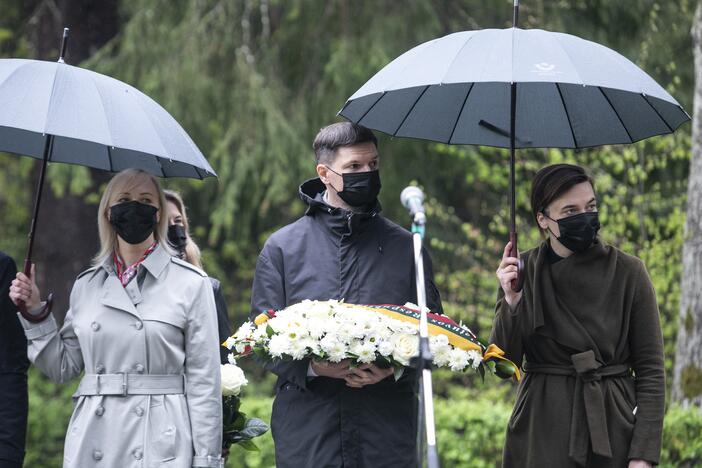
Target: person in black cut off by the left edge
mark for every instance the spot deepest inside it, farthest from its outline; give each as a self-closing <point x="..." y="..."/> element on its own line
<point x="13" y="373"/>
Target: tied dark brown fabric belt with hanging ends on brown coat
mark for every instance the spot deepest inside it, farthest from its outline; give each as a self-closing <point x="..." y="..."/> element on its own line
<point x="588" y="421"/>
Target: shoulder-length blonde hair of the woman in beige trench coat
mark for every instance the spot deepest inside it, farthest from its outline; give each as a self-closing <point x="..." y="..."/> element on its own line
<point x="121" y="182"/>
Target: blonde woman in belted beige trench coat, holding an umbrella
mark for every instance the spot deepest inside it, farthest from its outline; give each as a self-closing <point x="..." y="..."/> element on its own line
<point x="145" y="337"/>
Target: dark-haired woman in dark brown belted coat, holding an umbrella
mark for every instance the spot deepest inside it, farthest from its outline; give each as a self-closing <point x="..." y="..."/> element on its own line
<point x="587" y="326"/>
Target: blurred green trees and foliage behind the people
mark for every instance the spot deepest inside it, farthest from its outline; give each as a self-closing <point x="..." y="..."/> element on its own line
<point x="252" y="81"/>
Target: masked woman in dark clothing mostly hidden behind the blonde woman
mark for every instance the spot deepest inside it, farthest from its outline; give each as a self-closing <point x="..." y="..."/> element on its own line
<point x="187" y="249"/>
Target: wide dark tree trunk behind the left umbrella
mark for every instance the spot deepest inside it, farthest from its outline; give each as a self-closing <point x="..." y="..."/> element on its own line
<point x="67" y="236"/>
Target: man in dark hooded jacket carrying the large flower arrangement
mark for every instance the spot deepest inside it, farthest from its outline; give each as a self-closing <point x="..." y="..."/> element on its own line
<point x="326" y="414"/>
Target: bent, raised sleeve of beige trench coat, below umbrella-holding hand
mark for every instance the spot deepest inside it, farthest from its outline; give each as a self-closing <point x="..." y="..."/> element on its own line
<point x="55" y="352"/>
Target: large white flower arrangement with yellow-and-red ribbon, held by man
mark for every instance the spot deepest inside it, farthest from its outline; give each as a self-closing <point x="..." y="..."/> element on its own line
<point x="385" y="335"/>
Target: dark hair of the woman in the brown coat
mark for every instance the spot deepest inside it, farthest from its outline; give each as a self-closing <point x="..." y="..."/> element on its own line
<point x="553" y="181"/>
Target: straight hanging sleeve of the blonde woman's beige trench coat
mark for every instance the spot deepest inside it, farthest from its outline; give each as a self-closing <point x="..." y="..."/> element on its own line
<point x="203" y="384"/>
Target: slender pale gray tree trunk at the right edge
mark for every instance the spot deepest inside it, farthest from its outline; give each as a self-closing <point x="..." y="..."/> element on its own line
<point x="687" y="379"/>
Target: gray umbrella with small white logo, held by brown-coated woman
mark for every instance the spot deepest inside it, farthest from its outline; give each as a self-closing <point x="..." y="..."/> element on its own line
<point x="548" y="89"/>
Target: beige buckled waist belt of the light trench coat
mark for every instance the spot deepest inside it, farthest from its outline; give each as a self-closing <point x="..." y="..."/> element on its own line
<point x="131" y="384"/>
